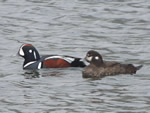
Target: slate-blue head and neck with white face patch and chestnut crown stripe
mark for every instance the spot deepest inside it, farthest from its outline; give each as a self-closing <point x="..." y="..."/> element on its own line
<point x="29" y="53"/>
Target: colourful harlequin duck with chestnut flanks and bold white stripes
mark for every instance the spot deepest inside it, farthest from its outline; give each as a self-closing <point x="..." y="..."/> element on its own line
<point x="34" y="61"/>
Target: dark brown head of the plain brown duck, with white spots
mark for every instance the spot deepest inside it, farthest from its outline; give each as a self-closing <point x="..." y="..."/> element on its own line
<point x="93" y="57"/>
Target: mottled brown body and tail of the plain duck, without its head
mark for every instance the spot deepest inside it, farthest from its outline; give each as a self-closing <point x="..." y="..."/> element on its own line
<point x="109" y="69"/>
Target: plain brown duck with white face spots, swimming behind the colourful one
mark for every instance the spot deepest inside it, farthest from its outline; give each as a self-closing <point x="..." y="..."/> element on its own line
<point x="99" y="68"/>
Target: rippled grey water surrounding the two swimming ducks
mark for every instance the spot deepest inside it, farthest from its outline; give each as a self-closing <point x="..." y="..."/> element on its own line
<point x="118" y="29"/>
